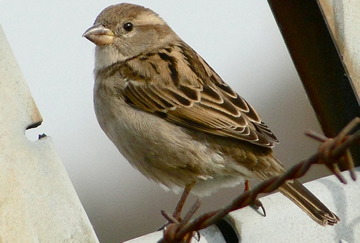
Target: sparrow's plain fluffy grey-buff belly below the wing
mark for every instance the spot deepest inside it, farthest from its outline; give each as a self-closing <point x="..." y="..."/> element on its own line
<point x="167" y="153"/>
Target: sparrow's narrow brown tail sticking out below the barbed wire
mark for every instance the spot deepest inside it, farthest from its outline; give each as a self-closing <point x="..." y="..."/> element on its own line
<point x="302" y="197"/>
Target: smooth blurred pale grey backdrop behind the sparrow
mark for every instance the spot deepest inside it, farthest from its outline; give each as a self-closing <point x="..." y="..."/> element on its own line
<point x="239" y="39"/>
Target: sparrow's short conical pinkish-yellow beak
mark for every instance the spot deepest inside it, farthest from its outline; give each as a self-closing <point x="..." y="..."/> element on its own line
<point x="99" y="35"/>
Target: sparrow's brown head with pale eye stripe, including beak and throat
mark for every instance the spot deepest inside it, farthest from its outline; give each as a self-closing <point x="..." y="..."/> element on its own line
<point x="124" y="31"/>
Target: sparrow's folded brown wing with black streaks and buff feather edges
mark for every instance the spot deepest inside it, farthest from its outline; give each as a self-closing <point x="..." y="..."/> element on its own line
<point x="179" y="86"/>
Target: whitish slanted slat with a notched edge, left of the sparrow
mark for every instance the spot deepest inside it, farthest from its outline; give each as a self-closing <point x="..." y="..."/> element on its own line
<point x="37" y="200"/>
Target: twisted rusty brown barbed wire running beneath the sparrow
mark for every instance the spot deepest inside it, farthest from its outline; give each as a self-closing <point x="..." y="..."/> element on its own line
<point x="331" y="152"/>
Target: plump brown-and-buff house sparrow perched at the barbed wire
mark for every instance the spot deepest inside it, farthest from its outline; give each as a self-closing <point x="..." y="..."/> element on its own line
<point x="171" y="115"/>
